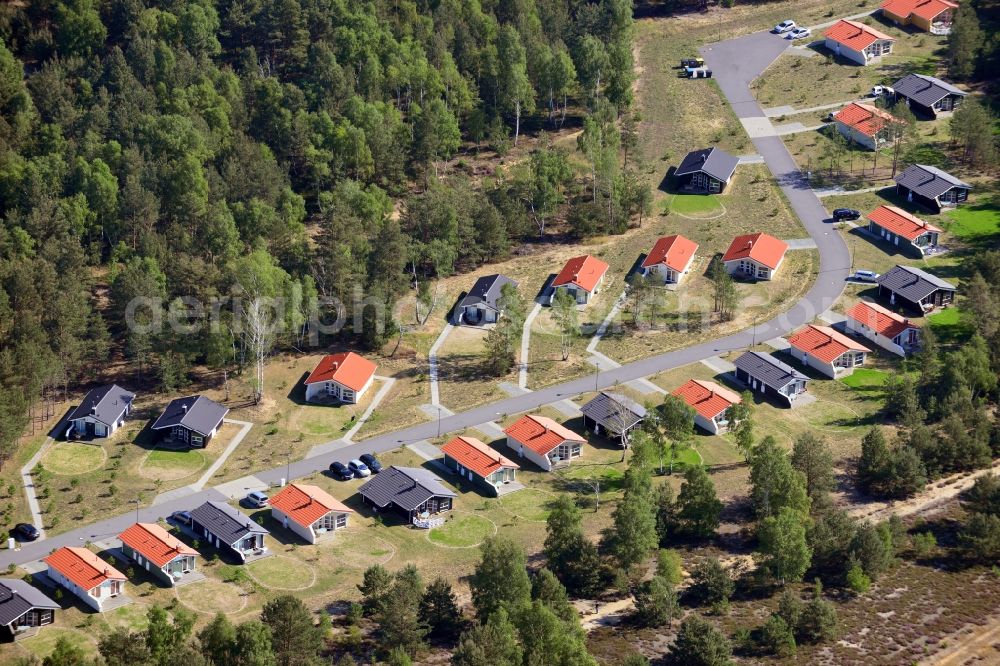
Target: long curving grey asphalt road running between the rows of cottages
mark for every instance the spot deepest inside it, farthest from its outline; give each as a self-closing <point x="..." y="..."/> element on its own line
<point x="735" y="64"/>
